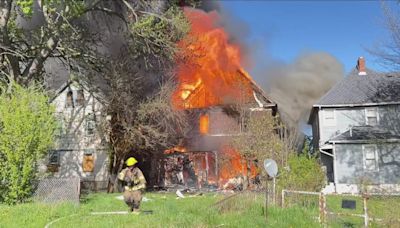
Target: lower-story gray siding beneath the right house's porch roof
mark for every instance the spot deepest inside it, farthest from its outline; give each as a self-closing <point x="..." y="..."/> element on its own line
<point x="350" y="164"/>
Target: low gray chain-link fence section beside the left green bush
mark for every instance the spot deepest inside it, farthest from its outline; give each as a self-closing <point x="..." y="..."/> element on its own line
<point x="51" y="190"/>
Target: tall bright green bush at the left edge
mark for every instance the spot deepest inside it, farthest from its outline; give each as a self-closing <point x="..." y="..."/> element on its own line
<point x="27" y="125"/>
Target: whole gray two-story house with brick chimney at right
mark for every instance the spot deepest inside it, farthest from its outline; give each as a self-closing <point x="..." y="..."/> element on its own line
<point x="356" y="128"/>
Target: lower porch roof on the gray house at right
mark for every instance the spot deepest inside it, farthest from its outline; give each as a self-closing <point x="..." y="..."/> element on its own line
<point x="365" y="134"/>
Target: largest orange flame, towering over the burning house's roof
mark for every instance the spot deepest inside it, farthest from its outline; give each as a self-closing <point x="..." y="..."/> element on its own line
<point x="212" y="73"/>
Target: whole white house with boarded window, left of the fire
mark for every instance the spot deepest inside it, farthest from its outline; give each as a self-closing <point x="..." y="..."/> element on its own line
<point x="81" y="149"/>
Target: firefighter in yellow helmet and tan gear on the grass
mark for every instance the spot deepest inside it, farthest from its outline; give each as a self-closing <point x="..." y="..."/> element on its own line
<point x="135" y="184"/>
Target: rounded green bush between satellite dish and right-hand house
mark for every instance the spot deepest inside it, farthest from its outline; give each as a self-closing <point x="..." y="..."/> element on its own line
<point x="304" y="173"/>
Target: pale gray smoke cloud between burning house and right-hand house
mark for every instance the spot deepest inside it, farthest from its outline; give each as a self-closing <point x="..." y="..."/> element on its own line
<point x="298" y="85"/>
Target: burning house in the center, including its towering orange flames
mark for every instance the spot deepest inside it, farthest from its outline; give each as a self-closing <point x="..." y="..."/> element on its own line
<point x="213" y="89"/>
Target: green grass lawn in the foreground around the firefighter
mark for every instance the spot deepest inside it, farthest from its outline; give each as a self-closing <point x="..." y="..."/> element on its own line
<point x="245" y="210"/>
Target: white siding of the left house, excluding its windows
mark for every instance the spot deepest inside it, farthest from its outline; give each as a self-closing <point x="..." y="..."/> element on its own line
<point x="74" y="141"/>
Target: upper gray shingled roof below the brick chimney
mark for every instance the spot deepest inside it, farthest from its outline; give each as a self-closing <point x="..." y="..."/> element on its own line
<point x="372" y="88"/>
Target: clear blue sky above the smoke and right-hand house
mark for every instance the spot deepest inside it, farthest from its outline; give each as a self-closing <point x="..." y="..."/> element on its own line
<point x="283" y="30"/>
